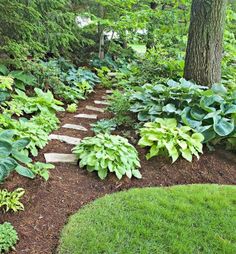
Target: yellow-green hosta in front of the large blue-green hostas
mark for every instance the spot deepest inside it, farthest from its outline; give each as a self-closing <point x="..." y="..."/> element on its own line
<point x="165" y="138"/>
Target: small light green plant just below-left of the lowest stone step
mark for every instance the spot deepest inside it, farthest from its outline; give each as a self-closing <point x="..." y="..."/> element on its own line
<point x="41" y="169"/>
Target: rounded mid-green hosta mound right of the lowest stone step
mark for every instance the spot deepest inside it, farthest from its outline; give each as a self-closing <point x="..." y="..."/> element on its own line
<point x="106" y="153"/>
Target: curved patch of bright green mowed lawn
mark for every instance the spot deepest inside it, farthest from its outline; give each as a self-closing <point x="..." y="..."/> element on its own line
<point x="181" y="219"/>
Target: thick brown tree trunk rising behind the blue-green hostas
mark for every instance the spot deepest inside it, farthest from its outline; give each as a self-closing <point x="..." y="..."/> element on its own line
<point x="205" y="42"/>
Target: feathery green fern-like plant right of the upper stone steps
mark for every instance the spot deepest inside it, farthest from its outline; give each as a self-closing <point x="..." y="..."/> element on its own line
<point x="119" y="105"/>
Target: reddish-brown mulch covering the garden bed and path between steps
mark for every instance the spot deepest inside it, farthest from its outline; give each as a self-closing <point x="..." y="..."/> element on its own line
<point x="49" y="204"/>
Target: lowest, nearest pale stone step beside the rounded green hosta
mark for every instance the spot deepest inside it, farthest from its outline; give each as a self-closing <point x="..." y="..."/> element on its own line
<point x="60" y="158"/>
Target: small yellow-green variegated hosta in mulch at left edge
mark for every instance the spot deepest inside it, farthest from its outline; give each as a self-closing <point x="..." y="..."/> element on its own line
<point x="11" y="200"/>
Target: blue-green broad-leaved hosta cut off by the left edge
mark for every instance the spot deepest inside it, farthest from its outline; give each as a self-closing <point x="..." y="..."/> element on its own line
<point x="13" y="155"/>
